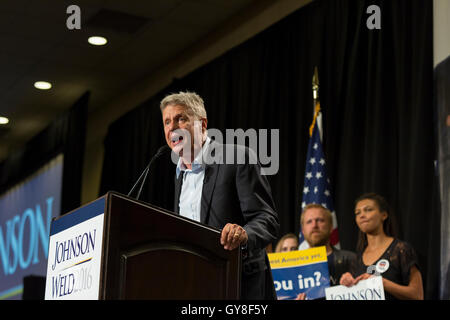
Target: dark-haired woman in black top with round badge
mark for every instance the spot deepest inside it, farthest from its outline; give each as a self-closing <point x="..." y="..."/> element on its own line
<point x="381" y="253"/>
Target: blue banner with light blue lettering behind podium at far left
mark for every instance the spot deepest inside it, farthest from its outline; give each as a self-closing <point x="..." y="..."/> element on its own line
<point x="26" y="211"/>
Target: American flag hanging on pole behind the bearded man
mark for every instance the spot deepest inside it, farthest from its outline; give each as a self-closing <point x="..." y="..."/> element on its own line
<point x="316" y="186"/>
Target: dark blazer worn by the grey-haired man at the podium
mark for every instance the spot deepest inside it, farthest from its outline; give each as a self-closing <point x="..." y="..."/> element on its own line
<point x="238" y="193"/>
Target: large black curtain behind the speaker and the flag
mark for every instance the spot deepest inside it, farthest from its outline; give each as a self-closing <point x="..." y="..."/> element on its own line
<point x="376" y="91"/>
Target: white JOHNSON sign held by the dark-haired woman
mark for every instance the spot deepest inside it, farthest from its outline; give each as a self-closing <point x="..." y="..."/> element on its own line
<point x="369" y="289"/>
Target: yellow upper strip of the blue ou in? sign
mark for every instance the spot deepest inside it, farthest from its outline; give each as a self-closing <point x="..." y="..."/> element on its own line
<point x="297" y="258"/>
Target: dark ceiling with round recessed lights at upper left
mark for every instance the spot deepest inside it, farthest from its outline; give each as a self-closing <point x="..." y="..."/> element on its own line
<point x="37" y="45"/>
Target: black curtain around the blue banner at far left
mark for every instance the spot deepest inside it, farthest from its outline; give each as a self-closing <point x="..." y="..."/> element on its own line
<point x="64" y="135"/>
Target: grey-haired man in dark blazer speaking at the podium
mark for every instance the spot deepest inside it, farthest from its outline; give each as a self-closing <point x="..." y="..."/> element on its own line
<point x="225" y="192"/>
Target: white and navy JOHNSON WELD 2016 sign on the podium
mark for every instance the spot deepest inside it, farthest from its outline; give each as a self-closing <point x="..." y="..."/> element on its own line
<point x="75" y="252"/>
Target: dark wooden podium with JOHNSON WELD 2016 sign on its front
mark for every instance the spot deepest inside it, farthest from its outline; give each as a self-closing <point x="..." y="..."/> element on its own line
<point x="146" y="253"/>
